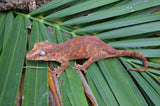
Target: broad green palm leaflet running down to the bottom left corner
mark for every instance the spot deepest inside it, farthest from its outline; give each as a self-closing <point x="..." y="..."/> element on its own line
<point x="11" y="62"/>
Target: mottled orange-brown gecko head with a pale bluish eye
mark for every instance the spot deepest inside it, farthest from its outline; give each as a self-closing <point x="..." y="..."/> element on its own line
<point x="43" y="51"/>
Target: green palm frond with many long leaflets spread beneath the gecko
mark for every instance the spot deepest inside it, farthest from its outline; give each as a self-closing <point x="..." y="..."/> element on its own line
<point x="124" y="24"/>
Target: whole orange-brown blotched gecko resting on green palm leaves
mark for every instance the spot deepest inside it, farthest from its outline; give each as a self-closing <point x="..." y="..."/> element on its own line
<point x="84" y="47"/>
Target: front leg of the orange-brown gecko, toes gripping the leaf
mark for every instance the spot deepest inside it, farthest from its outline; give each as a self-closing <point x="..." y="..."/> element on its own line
<point x="57" y="71"/>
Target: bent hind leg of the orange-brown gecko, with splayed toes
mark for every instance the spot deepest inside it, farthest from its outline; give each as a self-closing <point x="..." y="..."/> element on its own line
<point x="98" y="56"/>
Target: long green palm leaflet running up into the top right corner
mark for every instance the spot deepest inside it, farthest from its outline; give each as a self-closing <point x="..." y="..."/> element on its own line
<point x="112" y="12"/>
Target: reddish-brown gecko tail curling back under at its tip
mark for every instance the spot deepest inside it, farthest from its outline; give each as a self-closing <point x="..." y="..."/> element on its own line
<point x="134" y="54"/>
